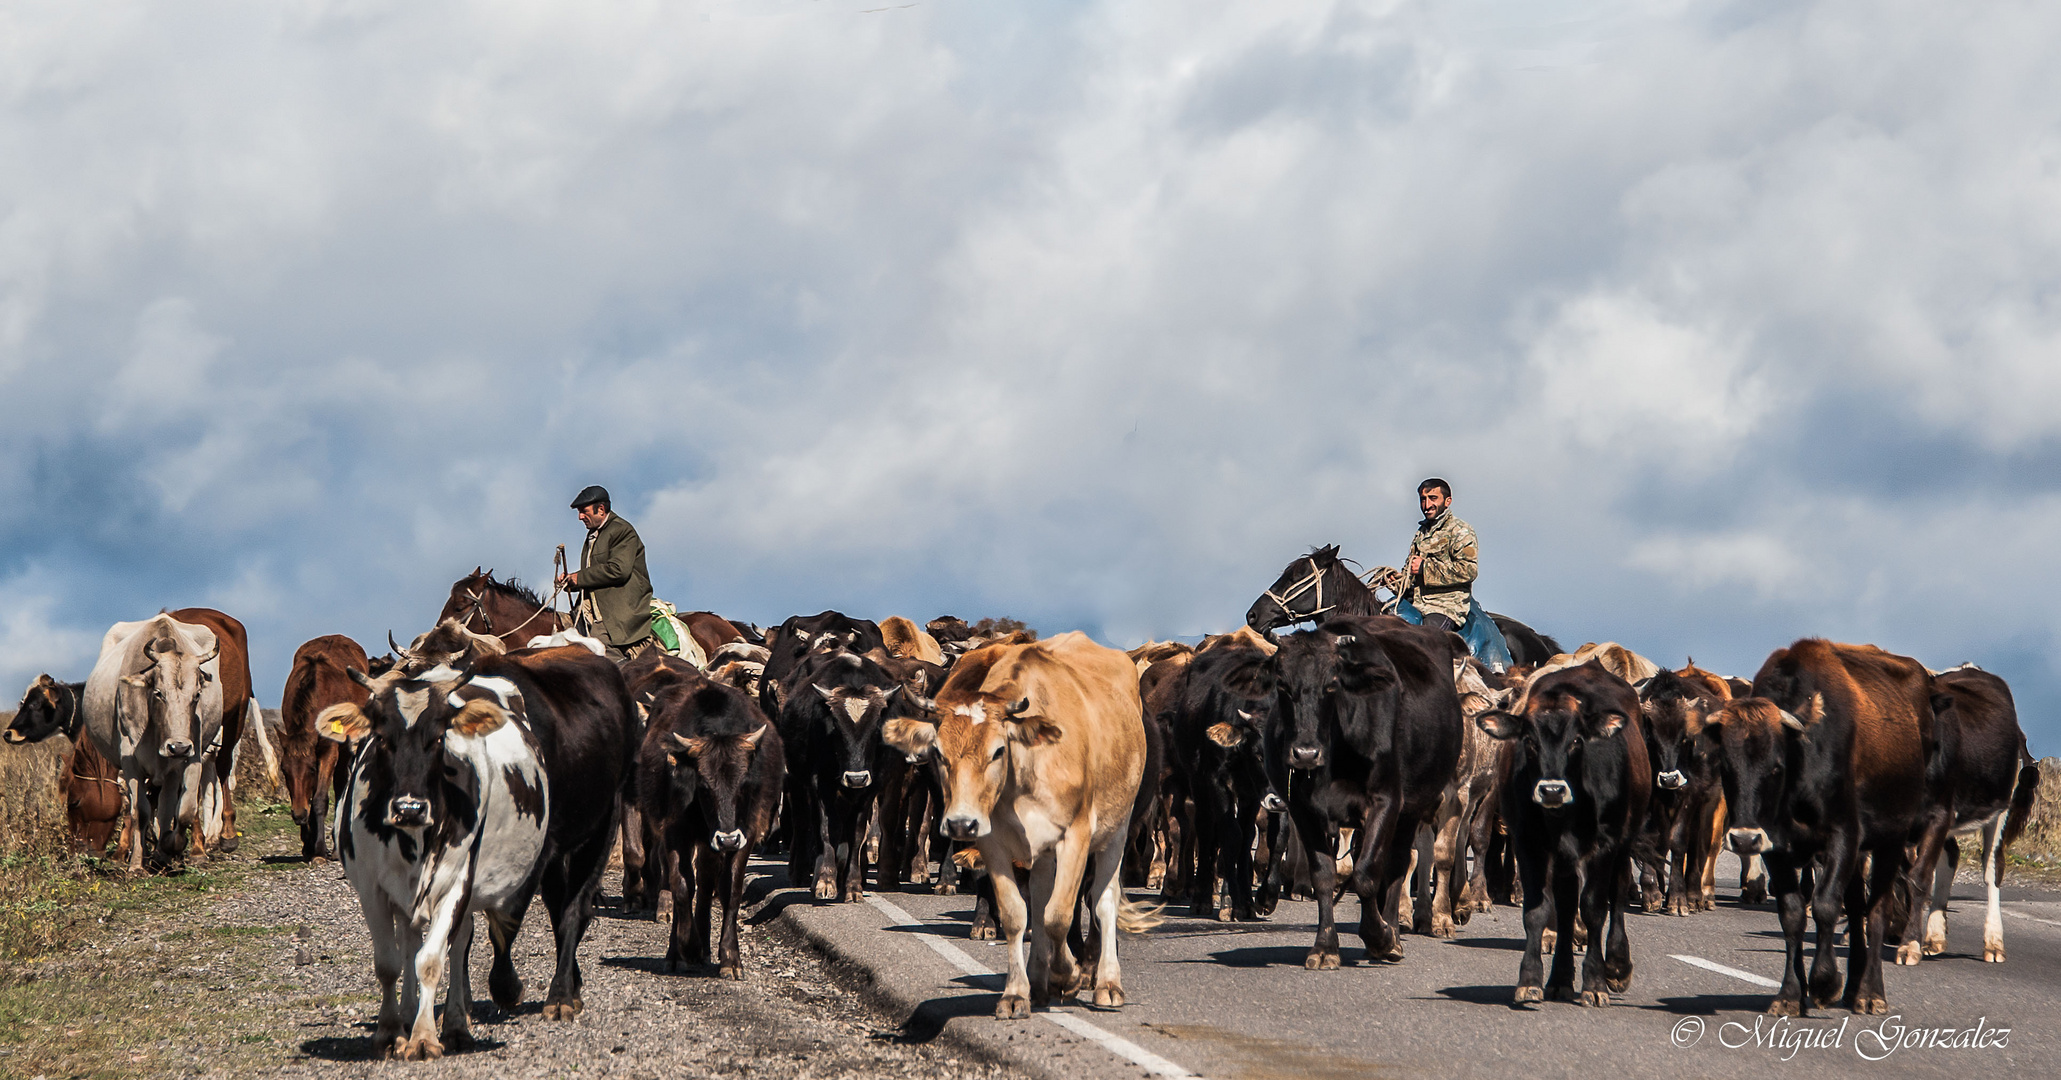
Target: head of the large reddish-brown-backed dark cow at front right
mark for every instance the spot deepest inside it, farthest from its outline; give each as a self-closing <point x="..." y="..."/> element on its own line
<point x="1757" y="747"/>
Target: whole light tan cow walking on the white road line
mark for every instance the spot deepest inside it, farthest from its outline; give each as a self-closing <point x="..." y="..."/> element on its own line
<point x="1040" y="751"/>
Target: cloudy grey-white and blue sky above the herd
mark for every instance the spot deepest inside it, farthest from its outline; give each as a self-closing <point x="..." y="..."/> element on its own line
<point x="1730" y="323"/>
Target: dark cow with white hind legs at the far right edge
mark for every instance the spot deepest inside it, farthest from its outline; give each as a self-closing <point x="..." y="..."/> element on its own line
<point x="1990" y="782"/>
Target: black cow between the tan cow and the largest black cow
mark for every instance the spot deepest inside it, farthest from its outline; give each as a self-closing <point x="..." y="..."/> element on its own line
<point x="1217" y="741"/>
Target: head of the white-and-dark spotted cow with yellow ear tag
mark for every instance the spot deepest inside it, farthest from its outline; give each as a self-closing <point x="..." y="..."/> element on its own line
<point x="415" y="741"/>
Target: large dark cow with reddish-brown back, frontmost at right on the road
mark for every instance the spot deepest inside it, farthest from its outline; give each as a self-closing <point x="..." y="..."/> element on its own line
<point x="1827" y="768"/>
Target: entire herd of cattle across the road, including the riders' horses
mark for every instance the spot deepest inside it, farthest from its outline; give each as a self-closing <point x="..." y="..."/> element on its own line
<point x="481" y="766"/>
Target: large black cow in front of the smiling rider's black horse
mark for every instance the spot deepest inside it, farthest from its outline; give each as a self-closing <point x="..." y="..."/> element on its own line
<point x="1363" y="733"/>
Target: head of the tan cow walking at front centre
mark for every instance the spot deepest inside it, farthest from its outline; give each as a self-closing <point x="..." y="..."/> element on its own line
<point x="980" y="745"/>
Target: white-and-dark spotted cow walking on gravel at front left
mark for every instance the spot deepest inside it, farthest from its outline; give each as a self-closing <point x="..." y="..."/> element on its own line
<point x="448" y="813"/>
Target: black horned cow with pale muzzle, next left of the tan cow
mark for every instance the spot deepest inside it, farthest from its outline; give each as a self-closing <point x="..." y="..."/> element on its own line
<point x="838" y="770"/>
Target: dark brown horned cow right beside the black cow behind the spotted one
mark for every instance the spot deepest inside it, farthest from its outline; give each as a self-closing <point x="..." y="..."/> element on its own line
<point x="710" y="778"/>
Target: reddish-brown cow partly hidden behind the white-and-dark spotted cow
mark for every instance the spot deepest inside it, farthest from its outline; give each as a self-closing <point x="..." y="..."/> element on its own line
<point x="320" y="677"/>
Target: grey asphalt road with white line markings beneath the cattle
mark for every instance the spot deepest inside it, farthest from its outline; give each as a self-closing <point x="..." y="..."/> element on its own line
<point x="1236" y="1003"/>
